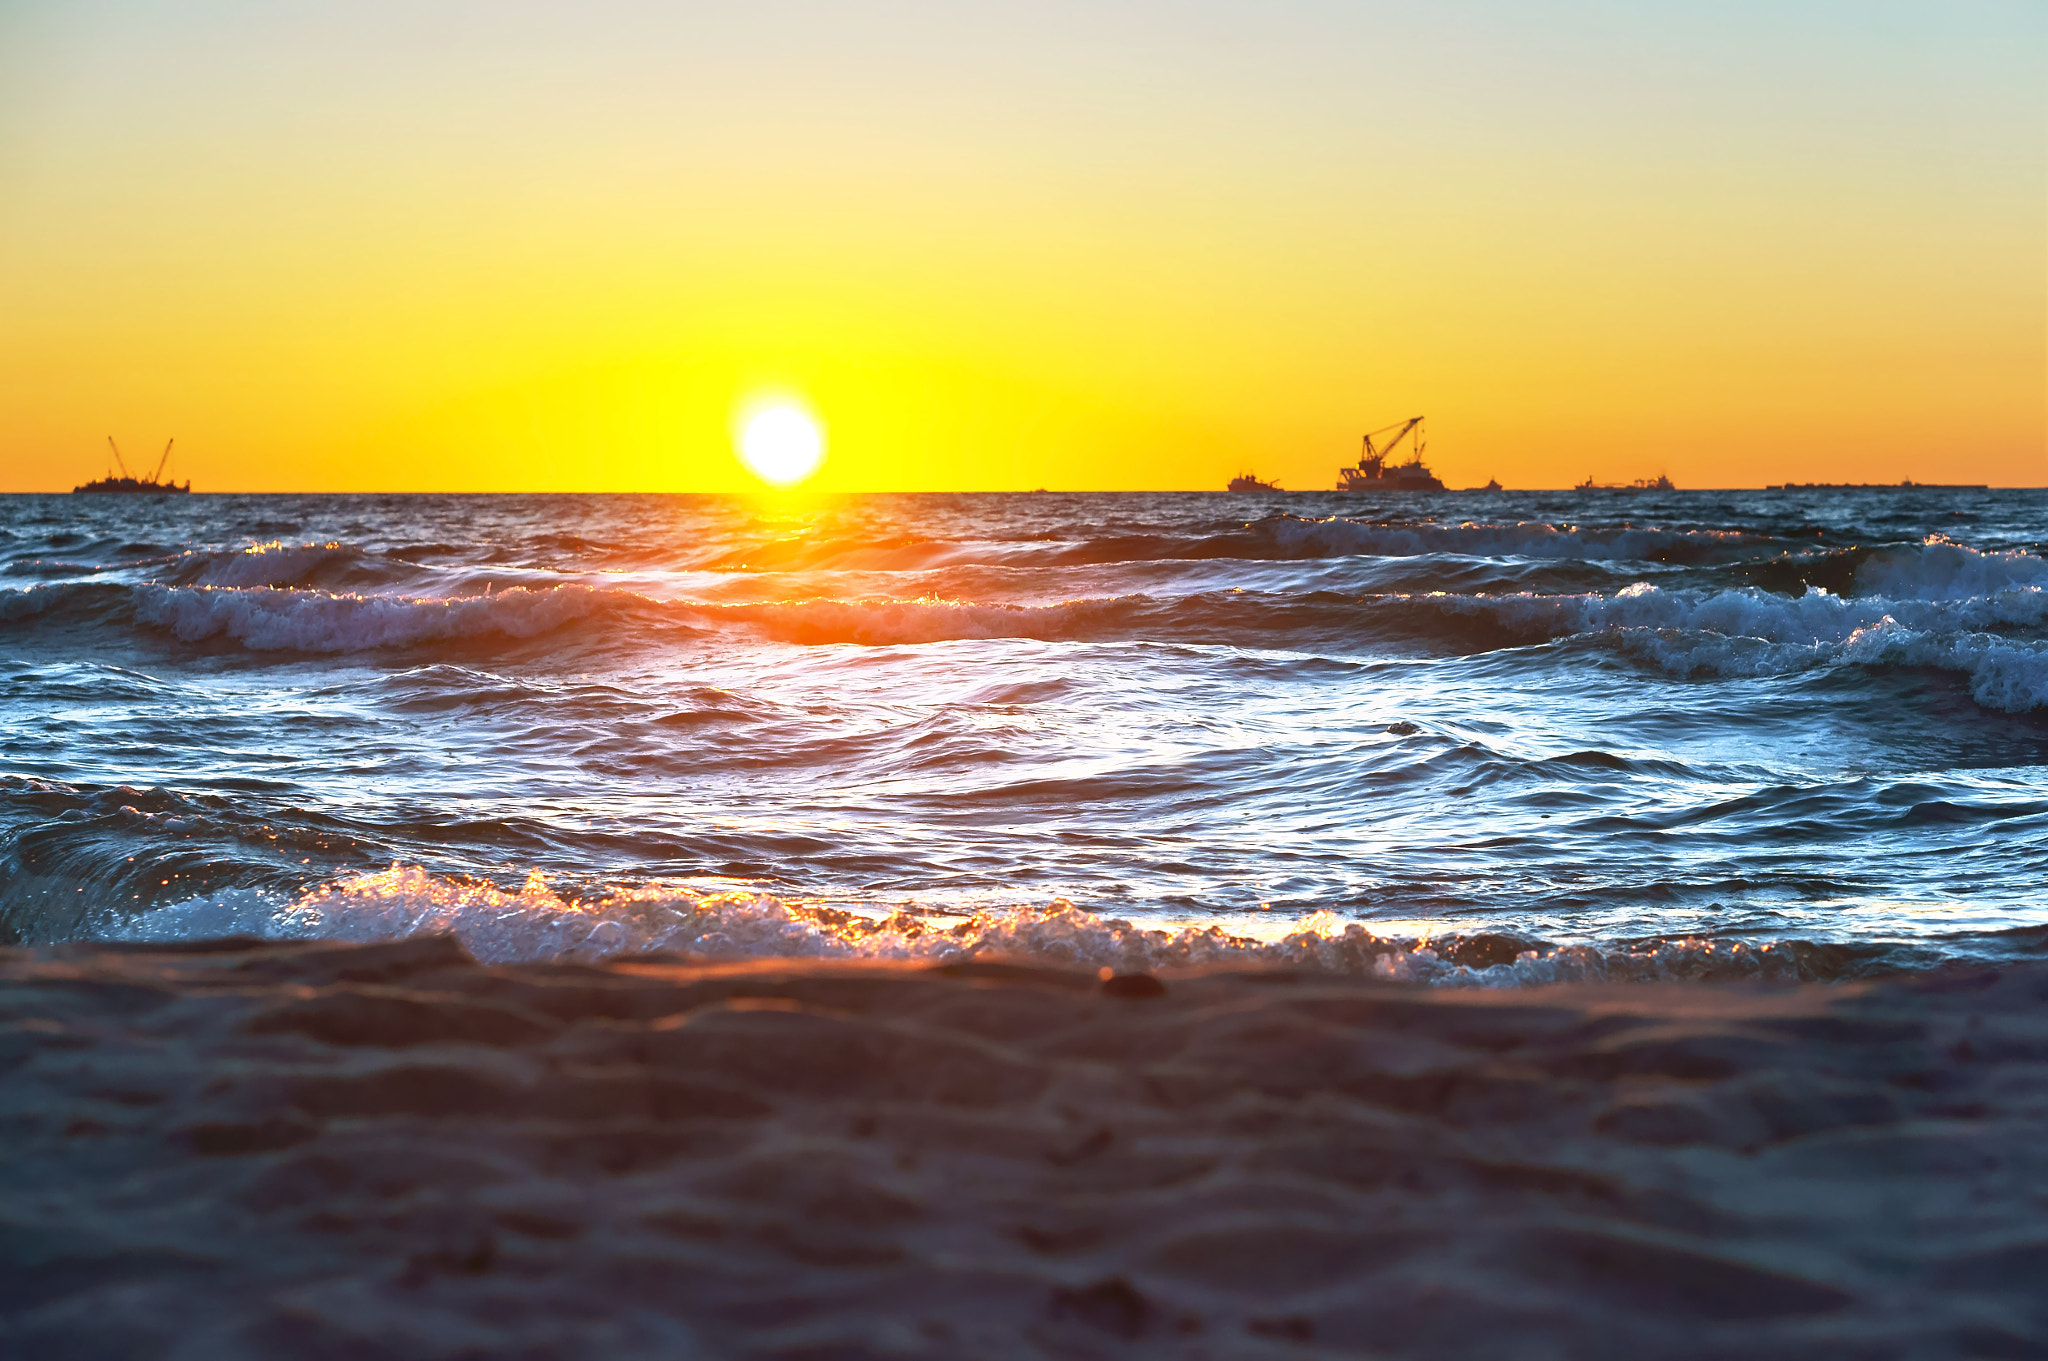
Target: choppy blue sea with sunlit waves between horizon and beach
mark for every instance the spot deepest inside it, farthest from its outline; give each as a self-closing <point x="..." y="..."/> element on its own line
<point x="1465" y="738"/>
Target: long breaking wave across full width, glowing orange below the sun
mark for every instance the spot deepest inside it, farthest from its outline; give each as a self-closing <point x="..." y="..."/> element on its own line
<point x="1684" y="631"/>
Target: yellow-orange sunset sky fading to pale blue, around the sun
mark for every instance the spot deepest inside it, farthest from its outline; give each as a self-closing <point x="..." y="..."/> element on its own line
<point x="441" y="245"/>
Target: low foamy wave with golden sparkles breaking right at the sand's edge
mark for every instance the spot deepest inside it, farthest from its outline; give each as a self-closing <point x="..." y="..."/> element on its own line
<point x="538" y="924"/>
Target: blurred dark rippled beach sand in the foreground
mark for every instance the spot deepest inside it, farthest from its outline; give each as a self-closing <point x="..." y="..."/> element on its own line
<point x="392" y="1151"/>
